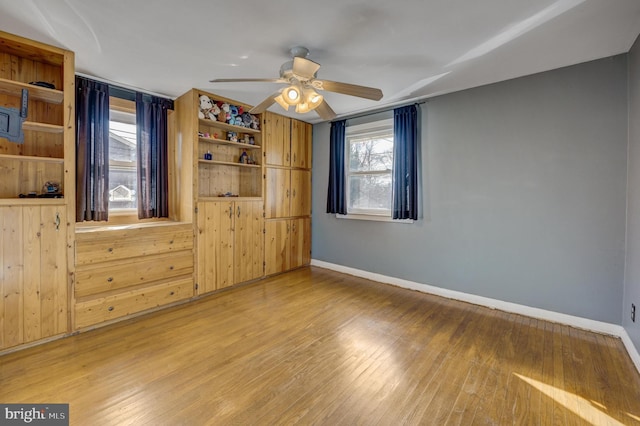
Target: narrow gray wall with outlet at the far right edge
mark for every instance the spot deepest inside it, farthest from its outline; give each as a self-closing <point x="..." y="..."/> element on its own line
<point x="632" y="276"/>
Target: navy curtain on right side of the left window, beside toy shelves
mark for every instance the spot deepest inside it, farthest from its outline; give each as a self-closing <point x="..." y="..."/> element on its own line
<point x="153" y="180"/>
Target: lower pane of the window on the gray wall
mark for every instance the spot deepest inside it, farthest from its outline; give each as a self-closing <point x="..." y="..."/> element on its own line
<point x="370" y="192"/>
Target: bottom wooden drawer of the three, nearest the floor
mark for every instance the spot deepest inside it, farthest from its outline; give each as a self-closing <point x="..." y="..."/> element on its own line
<point x="102" y="309"/>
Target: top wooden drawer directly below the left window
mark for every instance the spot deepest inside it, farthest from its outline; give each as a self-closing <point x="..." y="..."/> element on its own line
<point x="109" y="245"/>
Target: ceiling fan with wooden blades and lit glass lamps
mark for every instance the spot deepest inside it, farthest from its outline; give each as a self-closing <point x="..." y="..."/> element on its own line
<point x="300" y="76"/>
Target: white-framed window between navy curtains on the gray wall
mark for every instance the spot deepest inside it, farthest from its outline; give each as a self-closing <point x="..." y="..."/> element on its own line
<point x="369" y="153"/>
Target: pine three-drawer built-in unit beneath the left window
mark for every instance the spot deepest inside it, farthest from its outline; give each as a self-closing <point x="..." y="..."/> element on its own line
<point x="120" y="272"/>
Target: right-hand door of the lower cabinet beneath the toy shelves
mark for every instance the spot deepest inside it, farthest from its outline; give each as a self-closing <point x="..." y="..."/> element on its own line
<point x="249" y="241"/>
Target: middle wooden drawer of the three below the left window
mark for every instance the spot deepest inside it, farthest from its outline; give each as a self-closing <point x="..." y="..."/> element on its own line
<point x="97" y="278"/>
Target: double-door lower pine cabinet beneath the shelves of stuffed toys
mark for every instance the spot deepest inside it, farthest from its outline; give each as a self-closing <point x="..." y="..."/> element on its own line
<point x="230" y="243"/>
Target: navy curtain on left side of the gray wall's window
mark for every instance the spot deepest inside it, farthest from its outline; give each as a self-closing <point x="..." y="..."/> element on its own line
<point x="336" y="199"/>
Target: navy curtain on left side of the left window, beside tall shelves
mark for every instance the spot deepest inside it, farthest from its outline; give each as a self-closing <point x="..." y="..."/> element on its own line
<point x="92" y="150"/>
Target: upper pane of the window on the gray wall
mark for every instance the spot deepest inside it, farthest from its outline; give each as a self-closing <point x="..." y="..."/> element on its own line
<point x="371" y="154"/>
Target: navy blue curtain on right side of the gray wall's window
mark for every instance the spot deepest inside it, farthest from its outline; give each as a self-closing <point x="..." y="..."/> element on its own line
<point x="405" y="162"/>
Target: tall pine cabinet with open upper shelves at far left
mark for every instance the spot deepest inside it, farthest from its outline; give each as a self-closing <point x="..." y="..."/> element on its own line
<point x="36" y="238"/>
